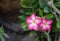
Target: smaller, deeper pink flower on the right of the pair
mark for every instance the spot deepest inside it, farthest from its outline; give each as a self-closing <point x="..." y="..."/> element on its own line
<point x="45" y="25"/>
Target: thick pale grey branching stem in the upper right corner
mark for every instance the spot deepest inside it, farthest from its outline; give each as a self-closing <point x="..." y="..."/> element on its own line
<point x="55" y="10"/>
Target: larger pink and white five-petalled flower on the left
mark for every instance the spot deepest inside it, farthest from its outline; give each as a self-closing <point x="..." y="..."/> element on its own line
<point x="32" y="22"/>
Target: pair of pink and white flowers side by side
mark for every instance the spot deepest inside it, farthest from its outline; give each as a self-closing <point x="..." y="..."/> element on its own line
<point x="34" y="22"/>
